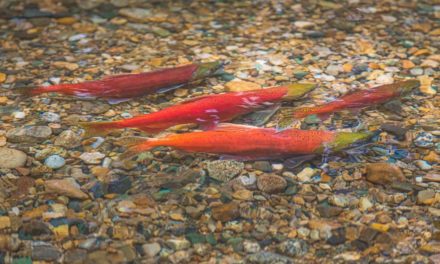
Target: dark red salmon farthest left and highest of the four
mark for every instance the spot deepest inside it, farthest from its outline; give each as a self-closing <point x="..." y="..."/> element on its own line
<point x="120" y="88"/>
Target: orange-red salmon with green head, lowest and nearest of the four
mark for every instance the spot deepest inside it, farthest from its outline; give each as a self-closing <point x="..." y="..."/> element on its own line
<point x="249" y="143"/>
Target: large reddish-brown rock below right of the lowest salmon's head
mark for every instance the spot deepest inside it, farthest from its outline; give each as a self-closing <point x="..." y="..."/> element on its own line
<point x="384" y="173"/>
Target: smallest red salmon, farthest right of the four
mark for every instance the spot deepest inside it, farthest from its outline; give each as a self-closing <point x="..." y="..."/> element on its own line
<point x="355" y="100"/>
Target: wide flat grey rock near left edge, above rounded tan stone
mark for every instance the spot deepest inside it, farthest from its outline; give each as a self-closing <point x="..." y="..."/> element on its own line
<point x="30" y="134"/>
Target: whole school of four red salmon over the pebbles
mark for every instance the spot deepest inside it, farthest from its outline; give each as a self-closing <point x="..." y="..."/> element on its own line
<point x="231" y="141"/>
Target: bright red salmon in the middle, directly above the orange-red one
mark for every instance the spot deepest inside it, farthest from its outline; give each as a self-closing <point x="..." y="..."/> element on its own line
<point x="206" y="111"/>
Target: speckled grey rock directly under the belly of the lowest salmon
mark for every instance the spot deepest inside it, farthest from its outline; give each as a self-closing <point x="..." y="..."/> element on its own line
<point x="224" y="170"/>
